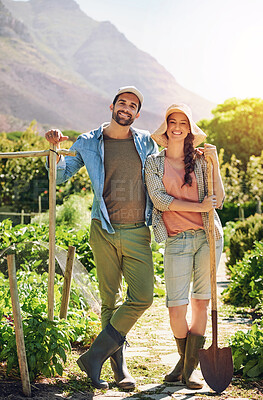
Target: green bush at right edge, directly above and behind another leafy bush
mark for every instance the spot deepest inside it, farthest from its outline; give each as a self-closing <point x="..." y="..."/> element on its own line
<point x="244" y="236"/>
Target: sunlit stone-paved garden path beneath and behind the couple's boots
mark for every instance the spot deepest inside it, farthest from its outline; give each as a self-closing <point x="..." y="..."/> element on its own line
<point x="152" y="340"/>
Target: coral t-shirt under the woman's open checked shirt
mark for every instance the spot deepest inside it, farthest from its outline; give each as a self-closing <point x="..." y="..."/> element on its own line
<point x="180" y="221"/>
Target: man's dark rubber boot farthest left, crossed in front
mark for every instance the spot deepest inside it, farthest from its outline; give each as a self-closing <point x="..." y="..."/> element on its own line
<point x="107" y="342"/>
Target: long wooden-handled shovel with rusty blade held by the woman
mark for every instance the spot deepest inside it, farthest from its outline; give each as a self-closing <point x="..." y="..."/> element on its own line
<point x="216" y="364"/>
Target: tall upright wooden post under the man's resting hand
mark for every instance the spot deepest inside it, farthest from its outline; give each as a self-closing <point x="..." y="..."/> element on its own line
<point x="52" y="229"/>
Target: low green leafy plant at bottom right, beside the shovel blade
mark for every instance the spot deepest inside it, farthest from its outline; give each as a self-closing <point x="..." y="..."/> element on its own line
<point x="247" y="350"/>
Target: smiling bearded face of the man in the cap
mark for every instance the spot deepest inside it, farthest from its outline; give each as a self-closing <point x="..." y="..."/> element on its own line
<point x="125" y="110"/>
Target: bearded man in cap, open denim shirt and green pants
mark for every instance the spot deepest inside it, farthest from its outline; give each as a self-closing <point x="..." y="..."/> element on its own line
<point x="114" y="155"/>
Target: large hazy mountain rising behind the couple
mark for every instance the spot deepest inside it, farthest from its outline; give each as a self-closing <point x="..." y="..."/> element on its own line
<point x="62" y="68"/>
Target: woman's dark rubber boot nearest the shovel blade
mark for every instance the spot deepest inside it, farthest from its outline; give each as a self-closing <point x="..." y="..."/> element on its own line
<point x="193" y="344"/>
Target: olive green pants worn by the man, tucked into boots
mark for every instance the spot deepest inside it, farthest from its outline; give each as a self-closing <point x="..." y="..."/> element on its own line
<point x="126" y="253"/>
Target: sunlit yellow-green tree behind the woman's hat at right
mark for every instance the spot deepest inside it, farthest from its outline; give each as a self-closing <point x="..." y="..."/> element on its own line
<point x="237" y="127"/>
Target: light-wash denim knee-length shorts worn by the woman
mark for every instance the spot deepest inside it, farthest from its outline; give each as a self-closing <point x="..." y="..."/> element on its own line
<point x="186" y="259"/>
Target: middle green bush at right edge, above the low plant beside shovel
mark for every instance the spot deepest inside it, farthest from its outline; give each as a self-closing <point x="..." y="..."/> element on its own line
<point x="245" y="287"/>
